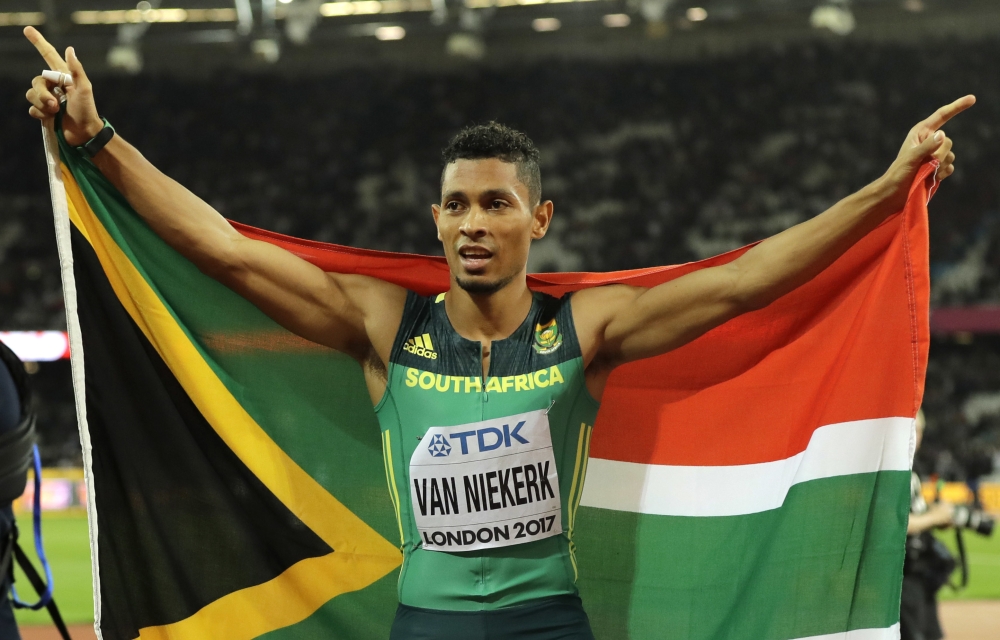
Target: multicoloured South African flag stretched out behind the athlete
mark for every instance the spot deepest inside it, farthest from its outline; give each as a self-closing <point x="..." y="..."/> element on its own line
<point x="751" y="484"/>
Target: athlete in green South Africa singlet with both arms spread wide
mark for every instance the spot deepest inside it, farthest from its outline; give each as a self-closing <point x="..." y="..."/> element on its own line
<point x="485" y="393"/>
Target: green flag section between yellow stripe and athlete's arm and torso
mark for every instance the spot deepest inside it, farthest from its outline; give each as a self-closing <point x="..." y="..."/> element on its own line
<point x="333" y="435"/>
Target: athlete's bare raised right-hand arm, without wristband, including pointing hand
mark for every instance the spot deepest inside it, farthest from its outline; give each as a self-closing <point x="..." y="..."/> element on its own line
<point x="633" y="323"/>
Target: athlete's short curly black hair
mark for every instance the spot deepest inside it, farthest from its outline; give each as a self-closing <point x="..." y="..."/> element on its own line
<point x="495" y="140"/>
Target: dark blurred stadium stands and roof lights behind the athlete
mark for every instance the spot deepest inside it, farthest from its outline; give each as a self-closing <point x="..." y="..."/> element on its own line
<point x="671" y="130"/>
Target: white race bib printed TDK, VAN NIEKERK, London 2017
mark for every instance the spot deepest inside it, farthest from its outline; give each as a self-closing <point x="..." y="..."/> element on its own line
<point x="486" y="484"/>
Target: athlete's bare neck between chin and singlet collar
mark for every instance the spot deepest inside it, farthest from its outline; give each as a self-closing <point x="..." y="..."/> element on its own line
<point x="485" y="318"/>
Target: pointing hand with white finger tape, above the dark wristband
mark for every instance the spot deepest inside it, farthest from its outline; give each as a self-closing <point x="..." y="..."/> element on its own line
<point x="80" y="122"/>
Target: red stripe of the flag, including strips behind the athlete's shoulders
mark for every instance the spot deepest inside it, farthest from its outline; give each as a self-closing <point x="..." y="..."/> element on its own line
<point x="849" y="345"/>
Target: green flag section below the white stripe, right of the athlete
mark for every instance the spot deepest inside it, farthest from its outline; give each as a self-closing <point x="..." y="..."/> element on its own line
<point x="829" y="561"/>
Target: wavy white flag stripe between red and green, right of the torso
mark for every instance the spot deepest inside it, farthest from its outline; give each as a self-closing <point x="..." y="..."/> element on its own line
<point x="847" y="448"/>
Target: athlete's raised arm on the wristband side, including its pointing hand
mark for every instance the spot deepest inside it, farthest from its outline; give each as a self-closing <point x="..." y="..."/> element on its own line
<point x="335" y="310"/>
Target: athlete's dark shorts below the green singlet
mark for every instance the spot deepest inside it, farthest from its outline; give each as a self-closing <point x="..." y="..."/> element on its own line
<point x="555" y="618"/>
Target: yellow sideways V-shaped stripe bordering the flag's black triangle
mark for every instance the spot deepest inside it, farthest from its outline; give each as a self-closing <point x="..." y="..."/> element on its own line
<point x="360" y="557"/>
